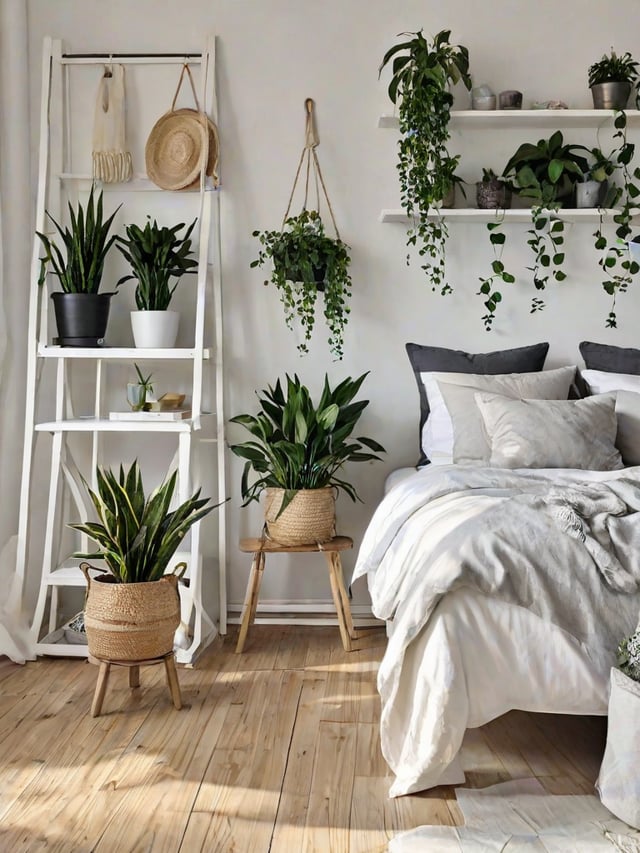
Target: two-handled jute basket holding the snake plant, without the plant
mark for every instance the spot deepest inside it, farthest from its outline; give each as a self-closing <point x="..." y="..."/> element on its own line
<point x="131" y="621"/>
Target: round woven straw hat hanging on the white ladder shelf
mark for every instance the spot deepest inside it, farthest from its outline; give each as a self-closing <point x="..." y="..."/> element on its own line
<point x="176" y="147"/>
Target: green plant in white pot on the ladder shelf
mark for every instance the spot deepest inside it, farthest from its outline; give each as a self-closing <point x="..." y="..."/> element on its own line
<point x="156" y="255"/>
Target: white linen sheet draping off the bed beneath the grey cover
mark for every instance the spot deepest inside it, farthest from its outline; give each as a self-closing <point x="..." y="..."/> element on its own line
<point x="474" y="657"/>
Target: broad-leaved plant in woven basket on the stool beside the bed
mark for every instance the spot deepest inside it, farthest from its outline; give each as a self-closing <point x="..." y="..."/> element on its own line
<point x="297" y="451"/>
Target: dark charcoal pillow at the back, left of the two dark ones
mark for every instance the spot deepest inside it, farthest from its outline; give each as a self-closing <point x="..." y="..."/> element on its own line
<point x="427" y="358"/>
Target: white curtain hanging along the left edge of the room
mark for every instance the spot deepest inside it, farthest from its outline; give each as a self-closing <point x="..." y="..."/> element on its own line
<point x="16" y="231"/>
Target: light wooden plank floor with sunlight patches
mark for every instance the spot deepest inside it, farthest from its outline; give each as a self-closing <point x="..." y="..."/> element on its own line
<point x="276" y="749"/>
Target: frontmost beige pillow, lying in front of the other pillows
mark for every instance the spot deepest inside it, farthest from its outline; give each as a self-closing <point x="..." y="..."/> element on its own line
<point x="551" y="433"/>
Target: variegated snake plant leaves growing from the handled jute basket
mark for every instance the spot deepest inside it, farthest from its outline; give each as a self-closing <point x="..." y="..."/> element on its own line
<point x="138" y="535"/>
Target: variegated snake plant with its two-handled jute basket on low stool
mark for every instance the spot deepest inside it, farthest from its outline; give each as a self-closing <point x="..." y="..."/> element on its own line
<point x="133" y="610"/>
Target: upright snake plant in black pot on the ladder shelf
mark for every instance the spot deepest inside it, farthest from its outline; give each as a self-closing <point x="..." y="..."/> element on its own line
<point x="81" y="312"/>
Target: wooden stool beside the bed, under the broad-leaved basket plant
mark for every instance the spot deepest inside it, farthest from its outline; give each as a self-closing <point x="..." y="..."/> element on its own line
<point x="331" y="550"/>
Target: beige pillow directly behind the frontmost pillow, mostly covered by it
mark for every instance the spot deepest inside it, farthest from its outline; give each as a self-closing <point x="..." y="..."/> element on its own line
<point x="470" y="446"/>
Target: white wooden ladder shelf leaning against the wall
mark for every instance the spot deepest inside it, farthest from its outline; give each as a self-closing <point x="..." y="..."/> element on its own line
<point x="205" y="429"/>
